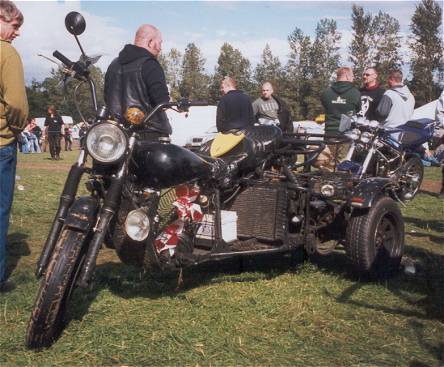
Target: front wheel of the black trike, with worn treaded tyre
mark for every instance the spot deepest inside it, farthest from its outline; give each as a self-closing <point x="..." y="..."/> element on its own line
<point x="48" y="315"/>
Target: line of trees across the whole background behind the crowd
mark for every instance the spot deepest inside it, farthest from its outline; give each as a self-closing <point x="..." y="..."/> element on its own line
<point x="376" y="41"/>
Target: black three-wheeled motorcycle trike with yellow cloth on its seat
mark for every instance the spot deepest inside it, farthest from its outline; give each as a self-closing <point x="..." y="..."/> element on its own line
<point x="163" y="207"/>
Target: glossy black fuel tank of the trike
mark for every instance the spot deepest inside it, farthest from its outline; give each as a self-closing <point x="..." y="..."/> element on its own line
<point x="165" y="165"/>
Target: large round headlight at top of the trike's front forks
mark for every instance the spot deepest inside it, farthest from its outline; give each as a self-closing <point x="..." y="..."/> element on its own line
<point x="106" y="142"/>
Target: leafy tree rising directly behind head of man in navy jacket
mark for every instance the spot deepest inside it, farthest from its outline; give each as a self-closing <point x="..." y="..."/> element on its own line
<point x="231" y="63"/>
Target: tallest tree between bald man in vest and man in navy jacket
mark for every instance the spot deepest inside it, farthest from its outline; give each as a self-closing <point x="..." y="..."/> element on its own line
<point x="194" y="83"/>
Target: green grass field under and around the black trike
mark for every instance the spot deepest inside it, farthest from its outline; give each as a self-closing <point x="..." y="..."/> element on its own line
<point x="270" y="314"/>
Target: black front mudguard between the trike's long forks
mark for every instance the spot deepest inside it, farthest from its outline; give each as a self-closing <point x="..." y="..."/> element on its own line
<point x="82" y="214"/>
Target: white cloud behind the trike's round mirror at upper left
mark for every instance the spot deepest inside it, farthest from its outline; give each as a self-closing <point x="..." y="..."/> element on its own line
<point x="44" y="32"/>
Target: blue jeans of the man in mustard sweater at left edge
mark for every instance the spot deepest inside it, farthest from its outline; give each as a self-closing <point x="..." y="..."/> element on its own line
<point x="8" y="162"/>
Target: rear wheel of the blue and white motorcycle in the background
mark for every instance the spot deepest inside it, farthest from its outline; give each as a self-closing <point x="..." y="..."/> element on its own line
<point x="412" y="174"/>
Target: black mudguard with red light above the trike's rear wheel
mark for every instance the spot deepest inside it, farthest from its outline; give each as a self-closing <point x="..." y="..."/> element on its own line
<point x="365" y="193"/>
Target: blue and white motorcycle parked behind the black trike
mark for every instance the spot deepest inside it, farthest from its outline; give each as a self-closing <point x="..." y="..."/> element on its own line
<point x="394" y="154"/>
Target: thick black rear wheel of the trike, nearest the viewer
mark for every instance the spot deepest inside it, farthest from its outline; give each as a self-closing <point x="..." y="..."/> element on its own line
<point x="375" y="239"/>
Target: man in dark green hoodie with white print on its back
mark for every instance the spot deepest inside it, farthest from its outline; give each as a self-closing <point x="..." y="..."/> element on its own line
<point x="340" y="98"/>
